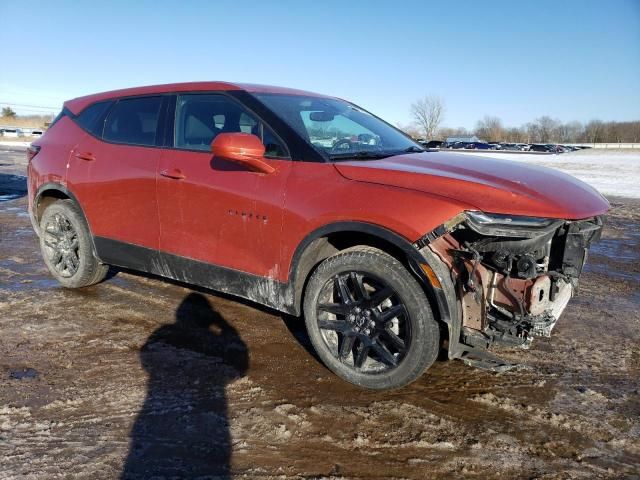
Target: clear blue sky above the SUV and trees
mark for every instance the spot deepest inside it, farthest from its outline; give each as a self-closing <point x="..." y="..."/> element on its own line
<point x="518" y="60"/>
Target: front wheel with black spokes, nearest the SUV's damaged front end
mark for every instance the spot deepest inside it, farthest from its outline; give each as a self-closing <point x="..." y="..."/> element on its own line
<point x="366" y="295"/>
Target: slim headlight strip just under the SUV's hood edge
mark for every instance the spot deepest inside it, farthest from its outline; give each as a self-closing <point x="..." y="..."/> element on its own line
<point x="501" y="225"/>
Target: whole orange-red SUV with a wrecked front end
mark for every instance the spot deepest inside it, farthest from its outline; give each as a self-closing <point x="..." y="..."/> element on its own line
<point x="315" y="207"/>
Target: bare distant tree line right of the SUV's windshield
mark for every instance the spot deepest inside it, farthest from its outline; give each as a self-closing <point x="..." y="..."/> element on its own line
<point x="428" y="114"/>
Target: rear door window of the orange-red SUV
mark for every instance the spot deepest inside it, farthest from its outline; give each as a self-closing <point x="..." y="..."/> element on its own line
<point x="133" y="121"/>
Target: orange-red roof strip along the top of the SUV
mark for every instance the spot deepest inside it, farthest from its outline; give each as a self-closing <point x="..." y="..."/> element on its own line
<point x="78" y="104"/>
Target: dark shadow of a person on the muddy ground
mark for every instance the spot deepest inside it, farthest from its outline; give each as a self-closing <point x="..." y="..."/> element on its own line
<point x="182" y="430"/>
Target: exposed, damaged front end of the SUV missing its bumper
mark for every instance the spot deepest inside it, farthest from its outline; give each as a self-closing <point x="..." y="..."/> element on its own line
<point x="513" y="276"/>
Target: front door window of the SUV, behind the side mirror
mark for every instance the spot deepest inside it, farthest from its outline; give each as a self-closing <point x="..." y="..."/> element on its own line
<point x="201" y="117"/>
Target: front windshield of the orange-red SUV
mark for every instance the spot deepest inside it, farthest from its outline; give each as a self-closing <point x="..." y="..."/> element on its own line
<point x="338" y="129"/>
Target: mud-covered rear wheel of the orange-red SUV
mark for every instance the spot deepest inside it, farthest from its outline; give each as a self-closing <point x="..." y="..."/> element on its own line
<point x="67" y="246"/>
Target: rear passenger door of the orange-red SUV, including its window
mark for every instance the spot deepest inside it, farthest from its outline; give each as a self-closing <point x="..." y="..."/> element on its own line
<point x="112" y="171"/>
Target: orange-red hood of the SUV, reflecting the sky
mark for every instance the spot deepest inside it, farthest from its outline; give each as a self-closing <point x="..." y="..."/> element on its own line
<point x="488" y="184"/>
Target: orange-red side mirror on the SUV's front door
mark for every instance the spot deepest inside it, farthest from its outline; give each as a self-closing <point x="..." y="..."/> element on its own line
<point x="242" y="148"/>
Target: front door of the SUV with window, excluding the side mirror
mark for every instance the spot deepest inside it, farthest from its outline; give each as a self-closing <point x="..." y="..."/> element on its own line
<point x="216" y="211"/>
